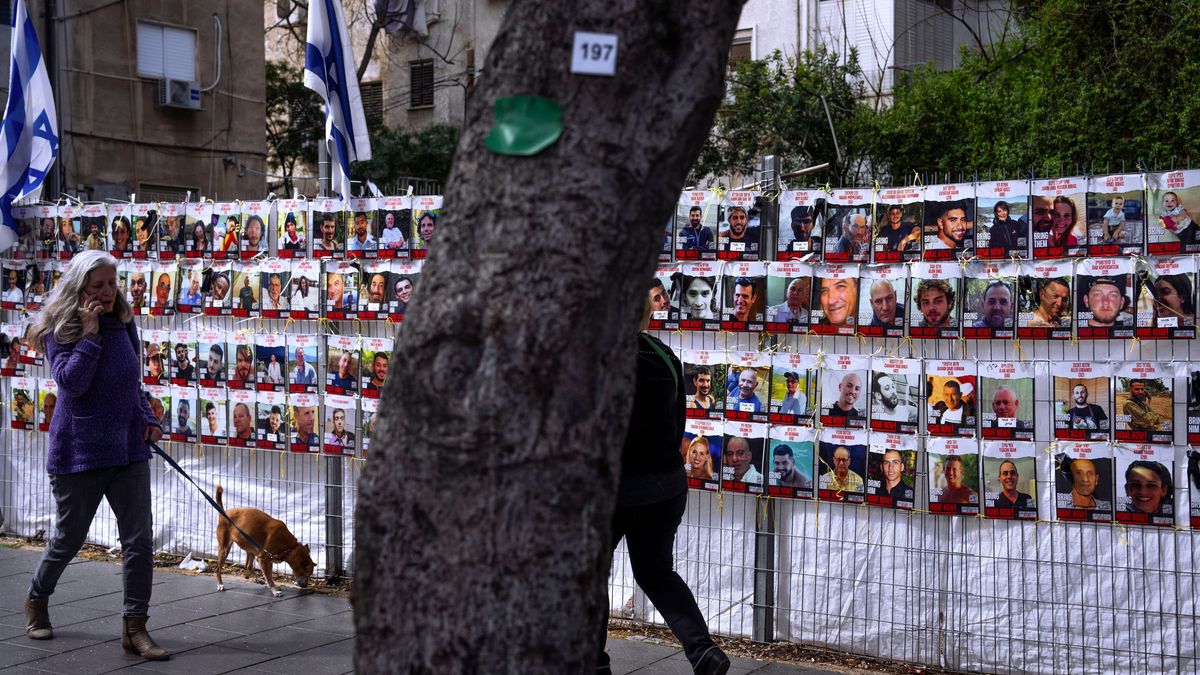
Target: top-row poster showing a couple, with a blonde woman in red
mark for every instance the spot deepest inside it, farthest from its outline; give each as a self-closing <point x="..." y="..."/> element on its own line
<point x="1058" y="208"/>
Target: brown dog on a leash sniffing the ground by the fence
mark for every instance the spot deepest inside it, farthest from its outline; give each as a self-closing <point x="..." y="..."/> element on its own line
<point x="273" y="535"/>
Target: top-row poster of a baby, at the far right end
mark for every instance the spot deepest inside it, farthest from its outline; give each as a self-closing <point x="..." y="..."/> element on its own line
<point x="1169" y="225"/>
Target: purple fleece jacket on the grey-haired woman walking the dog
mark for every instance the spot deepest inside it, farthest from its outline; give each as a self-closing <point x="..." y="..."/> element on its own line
<point x="103" y="413"/>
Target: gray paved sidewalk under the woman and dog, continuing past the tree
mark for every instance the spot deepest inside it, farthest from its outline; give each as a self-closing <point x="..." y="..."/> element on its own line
<point x="241" y="630"/>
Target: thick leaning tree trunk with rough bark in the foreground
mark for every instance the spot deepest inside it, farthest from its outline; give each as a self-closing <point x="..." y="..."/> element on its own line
<point x="482" y="533"/>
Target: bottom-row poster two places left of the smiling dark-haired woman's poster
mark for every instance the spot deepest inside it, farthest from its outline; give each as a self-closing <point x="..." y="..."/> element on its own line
<point x="1010" y="480"/>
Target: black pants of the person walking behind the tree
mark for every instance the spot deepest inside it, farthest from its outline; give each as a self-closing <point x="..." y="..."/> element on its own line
<point x="650" y="534"/>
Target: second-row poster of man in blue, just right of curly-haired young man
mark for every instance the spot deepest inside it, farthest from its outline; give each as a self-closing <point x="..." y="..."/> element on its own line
<point x="991" y="302"/>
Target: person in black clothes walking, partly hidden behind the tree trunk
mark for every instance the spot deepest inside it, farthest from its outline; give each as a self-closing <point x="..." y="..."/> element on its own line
<point x="651" y="500"/>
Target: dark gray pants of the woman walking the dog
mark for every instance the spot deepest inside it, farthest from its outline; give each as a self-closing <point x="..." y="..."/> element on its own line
<point x="79" y="495"/>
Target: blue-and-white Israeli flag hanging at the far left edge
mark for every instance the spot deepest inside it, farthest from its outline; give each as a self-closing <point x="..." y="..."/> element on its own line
<point x="29" y="135"/>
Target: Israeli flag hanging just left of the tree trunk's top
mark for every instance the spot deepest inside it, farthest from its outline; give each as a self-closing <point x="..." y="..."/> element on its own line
<point x="329" y="71"/>
